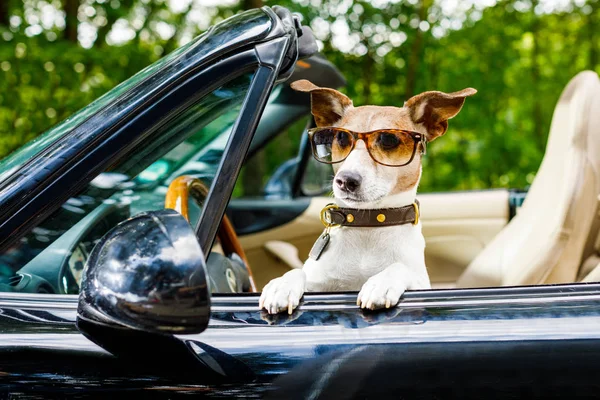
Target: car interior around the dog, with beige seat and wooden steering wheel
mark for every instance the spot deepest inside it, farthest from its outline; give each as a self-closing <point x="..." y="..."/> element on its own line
<point x="481" y="238"/>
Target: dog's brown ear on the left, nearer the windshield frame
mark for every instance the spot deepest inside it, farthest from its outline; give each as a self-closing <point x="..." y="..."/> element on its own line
<point x="327" y="105"/>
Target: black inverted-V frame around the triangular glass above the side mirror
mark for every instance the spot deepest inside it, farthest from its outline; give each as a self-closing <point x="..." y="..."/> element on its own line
<point x="268" y="61"/>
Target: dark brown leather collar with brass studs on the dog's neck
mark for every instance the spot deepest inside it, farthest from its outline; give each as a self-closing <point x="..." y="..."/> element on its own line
<point x="332" y="215"/>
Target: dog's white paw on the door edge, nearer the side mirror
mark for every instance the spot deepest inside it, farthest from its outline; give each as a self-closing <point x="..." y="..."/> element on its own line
<point x="283" y="293"/>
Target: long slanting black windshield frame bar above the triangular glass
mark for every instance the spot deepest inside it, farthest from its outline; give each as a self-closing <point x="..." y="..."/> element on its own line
<point x="110" y="145"/>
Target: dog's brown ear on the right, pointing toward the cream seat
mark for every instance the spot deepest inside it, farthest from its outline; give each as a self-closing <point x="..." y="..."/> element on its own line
<point x="432" y="110"/>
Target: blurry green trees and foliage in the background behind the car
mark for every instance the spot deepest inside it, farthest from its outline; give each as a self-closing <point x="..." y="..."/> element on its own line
<point x="519" y="55"/>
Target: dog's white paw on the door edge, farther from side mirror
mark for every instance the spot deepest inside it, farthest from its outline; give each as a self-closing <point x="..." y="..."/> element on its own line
<point x="380" y="291"/>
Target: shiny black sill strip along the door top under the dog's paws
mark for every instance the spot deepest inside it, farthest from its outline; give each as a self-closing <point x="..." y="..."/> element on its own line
<point x="471" y="298"/>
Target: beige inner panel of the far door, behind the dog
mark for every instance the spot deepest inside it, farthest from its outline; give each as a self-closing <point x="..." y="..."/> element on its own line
<point x="456" y="226"/>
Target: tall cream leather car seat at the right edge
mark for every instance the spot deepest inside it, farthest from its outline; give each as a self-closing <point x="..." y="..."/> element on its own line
<point x="555" y="229"/>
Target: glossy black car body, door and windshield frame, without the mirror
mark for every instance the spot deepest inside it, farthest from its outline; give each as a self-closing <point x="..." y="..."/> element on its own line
<point x="526" y="342"/>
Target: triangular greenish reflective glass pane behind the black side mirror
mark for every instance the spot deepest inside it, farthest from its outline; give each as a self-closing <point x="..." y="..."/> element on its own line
<point x="51" y="257"/>
